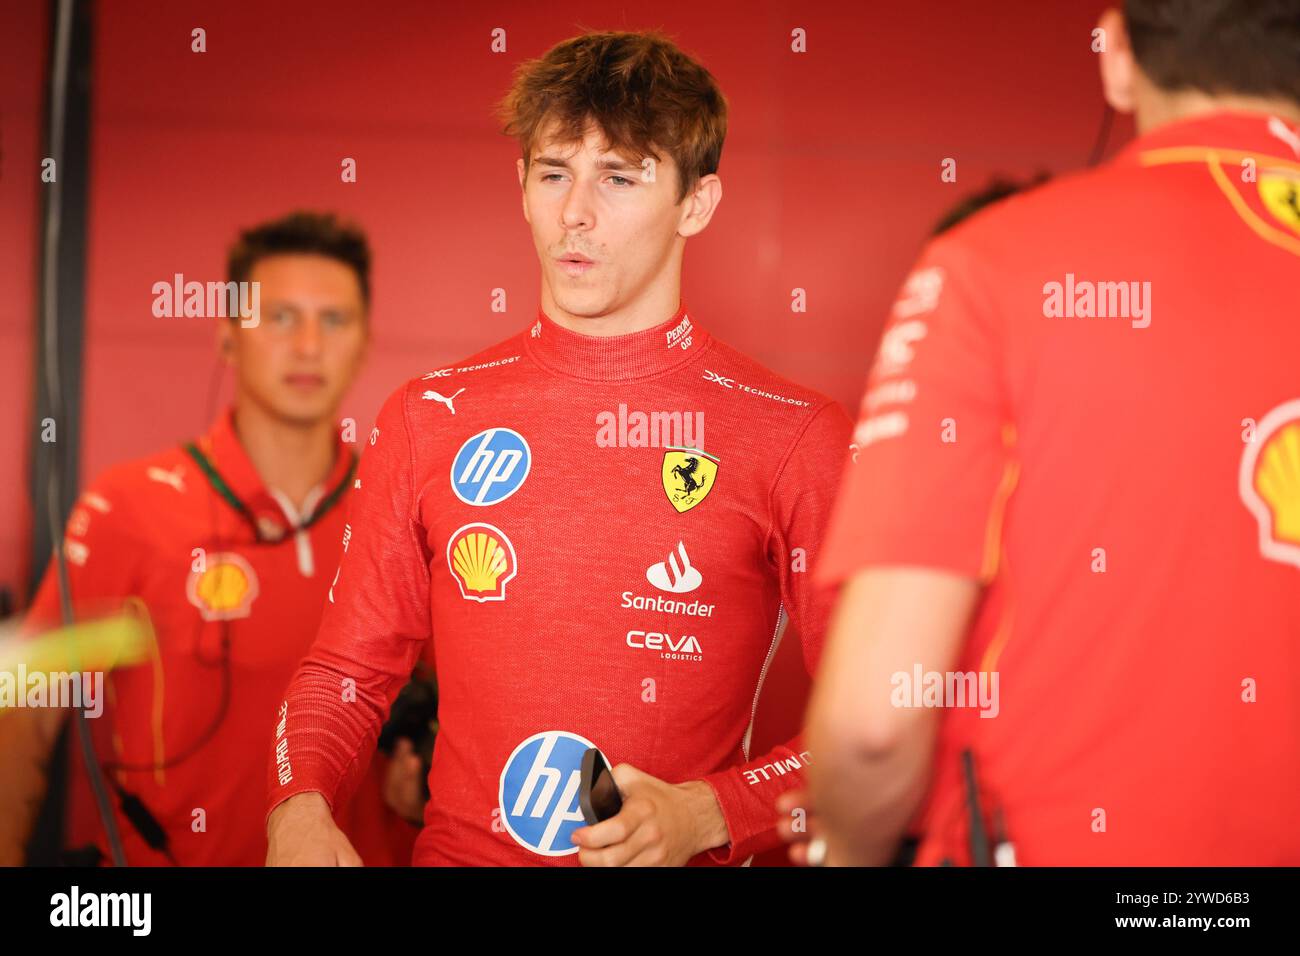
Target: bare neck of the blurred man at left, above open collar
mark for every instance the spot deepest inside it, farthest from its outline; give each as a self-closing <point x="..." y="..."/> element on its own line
<point x="291" y="458"/>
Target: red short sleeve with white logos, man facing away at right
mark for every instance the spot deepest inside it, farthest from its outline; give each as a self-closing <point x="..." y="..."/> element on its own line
<point x="934" y="438"/>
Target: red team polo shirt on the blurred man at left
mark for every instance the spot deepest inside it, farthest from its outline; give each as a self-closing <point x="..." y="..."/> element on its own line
<point x="211" y="557"/>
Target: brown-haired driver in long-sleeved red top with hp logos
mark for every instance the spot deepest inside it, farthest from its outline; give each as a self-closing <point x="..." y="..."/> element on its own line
<point x="603" y="524"/>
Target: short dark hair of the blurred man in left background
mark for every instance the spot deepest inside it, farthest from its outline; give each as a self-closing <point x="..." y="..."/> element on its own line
<point x="304" y="233"/>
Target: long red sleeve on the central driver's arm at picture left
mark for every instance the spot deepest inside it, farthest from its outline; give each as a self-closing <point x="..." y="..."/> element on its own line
<point x="374" y="629"/>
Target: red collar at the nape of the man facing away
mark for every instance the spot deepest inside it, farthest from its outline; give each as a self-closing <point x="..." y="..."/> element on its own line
<point x="1229" y="135"/>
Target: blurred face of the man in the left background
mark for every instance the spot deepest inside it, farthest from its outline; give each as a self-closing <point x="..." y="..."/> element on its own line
<point x="300" y="360"/>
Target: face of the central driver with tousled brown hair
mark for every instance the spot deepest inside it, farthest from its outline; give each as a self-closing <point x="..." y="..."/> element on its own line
<point x="613" y="211"/>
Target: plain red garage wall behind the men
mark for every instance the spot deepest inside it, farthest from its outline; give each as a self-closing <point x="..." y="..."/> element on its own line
<point x="831" y="174"/>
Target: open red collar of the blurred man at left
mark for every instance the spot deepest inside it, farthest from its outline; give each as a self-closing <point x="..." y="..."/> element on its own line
<point x="222" y="447"/>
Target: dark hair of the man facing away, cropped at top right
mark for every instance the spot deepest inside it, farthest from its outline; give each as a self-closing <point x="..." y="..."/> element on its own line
<point x="1250" y="47"/>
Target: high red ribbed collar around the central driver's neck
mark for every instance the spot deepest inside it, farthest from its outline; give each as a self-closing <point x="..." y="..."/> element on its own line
<point x="617" y="358"/>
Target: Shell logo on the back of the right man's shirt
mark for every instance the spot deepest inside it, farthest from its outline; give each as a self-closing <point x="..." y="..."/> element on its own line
<point x="1269" y="483"/>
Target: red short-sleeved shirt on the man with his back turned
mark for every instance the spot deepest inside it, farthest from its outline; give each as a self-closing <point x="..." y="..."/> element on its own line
<point x="1089" y="399"/>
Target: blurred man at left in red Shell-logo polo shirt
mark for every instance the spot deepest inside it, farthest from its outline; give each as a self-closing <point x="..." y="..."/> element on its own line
<point x="228" y="546"/>
